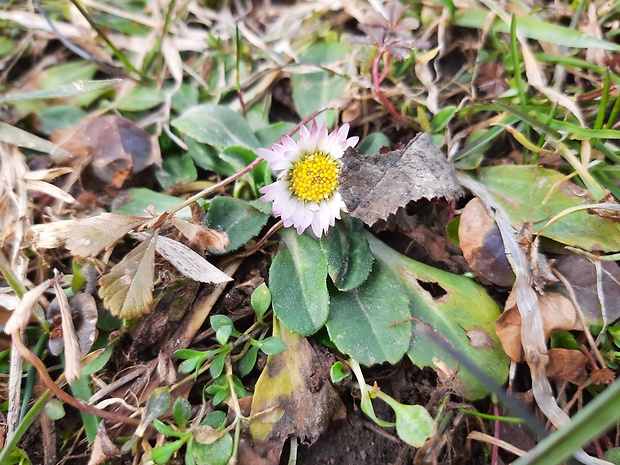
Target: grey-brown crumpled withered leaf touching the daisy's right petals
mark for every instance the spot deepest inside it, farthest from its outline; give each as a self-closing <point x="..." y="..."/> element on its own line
<point x="374" y="187"/>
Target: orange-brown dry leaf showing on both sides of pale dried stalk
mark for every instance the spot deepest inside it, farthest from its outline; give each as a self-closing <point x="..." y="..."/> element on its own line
<point x="557" y="313"/>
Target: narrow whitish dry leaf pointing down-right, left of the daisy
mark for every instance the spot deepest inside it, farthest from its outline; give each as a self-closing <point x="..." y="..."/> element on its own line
<point x="187" y="261"/>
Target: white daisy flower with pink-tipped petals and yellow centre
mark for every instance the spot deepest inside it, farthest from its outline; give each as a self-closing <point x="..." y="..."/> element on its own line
<point x="306" y="190"/>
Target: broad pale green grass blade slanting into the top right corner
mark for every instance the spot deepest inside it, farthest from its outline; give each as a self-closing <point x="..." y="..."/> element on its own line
<point x="535" y="29"/>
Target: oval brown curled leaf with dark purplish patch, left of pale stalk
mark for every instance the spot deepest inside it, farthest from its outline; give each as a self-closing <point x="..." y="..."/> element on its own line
<point x="482" y="246"/>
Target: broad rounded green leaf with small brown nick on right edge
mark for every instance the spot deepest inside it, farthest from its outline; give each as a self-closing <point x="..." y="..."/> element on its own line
<point x="370" y="323"/>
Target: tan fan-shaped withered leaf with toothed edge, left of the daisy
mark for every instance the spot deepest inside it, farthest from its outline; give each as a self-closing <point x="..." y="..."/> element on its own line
<point x="127" y="290"/>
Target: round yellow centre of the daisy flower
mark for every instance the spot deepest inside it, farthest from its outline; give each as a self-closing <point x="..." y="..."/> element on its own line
<point x="314" y="177"/>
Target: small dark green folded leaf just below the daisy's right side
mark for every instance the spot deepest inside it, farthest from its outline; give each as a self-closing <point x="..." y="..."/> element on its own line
<point x="349" y="259"/>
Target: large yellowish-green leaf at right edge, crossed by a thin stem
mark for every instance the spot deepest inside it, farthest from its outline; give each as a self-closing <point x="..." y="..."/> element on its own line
<point x="535" y="194"/>
